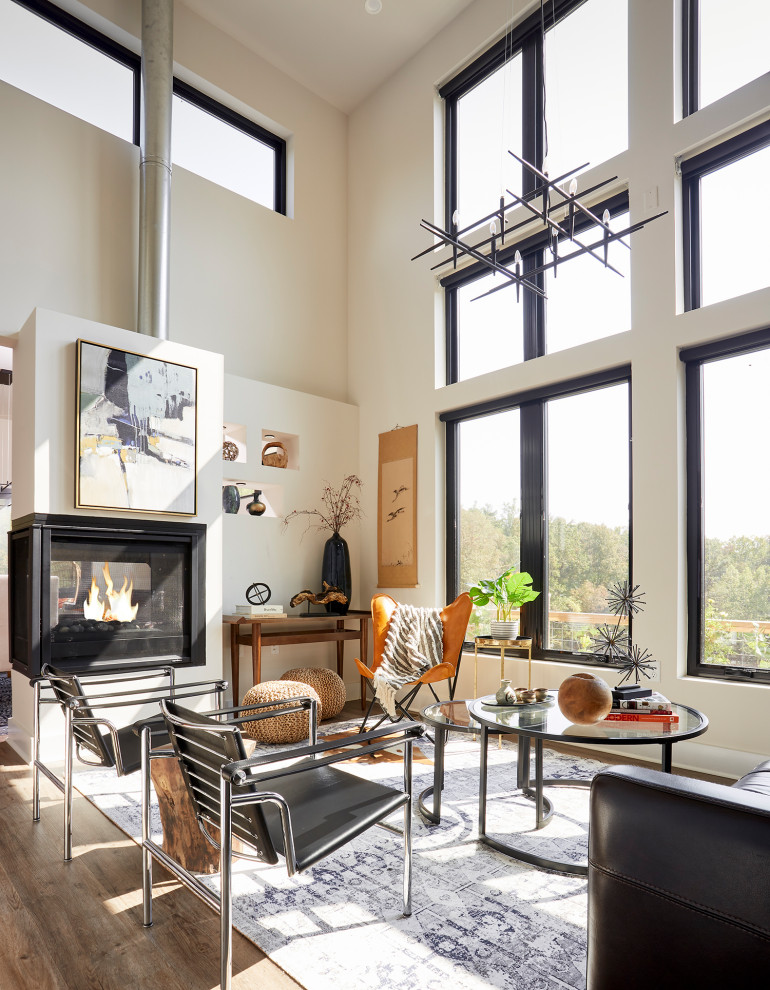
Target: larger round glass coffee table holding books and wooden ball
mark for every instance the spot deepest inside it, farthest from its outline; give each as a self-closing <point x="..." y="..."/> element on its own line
<point x="539" y="722"/>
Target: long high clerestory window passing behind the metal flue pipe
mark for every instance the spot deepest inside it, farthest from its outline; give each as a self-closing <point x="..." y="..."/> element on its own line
<point x="53" y="55"/>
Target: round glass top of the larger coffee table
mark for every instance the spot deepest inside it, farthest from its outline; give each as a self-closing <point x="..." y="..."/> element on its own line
<point x="547" y="722"/>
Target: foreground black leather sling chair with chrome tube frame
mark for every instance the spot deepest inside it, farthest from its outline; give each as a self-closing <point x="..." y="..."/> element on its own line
<point x="303" y="811"/>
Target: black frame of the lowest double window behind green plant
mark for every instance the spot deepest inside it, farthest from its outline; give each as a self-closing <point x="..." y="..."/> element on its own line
<point x="534" y="486"/>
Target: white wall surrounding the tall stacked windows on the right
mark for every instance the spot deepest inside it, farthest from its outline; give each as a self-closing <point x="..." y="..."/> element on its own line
<point x="396" y="326"/>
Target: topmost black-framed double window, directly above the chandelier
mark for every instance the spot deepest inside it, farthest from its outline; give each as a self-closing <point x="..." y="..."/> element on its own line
<point x="499" y="102"/>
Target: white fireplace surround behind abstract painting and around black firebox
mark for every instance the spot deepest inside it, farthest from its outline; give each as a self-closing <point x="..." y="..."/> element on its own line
<point x="44" y="461"/>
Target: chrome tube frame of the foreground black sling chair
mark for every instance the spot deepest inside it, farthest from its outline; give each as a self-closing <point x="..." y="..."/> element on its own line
<point x="240" y="774"/>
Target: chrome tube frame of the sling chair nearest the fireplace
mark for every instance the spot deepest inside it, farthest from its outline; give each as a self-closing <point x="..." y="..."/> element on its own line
<point x="74" y="717"/>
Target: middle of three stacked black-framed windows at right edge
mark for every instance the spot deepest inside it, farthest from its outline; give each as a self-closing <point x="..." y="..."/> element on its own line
<point x="713" y="183"/>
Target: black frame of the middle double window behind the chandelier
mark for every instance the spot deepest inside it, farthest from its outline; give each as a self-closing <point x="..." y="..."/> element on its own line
<point x="535" y="317"/>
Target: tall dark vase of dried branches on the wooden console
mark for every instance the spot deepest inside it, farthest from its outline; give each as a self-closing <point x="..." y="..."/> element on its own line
<point x="340" y="506"/>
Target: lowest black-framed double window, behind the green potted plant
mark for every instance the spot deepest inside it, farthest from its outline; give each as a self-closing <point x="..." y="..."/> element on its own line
<point x="526" y="488"/>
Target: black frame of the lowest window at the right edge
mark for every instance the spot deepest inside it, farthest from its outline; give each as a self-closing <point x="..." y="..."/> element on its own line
<point x="694" y="358"/>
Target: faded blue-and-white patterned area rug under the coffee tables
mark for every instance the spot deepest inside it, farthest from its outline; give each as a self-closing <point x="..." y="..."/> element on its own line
<point x="480" y="919"/>
